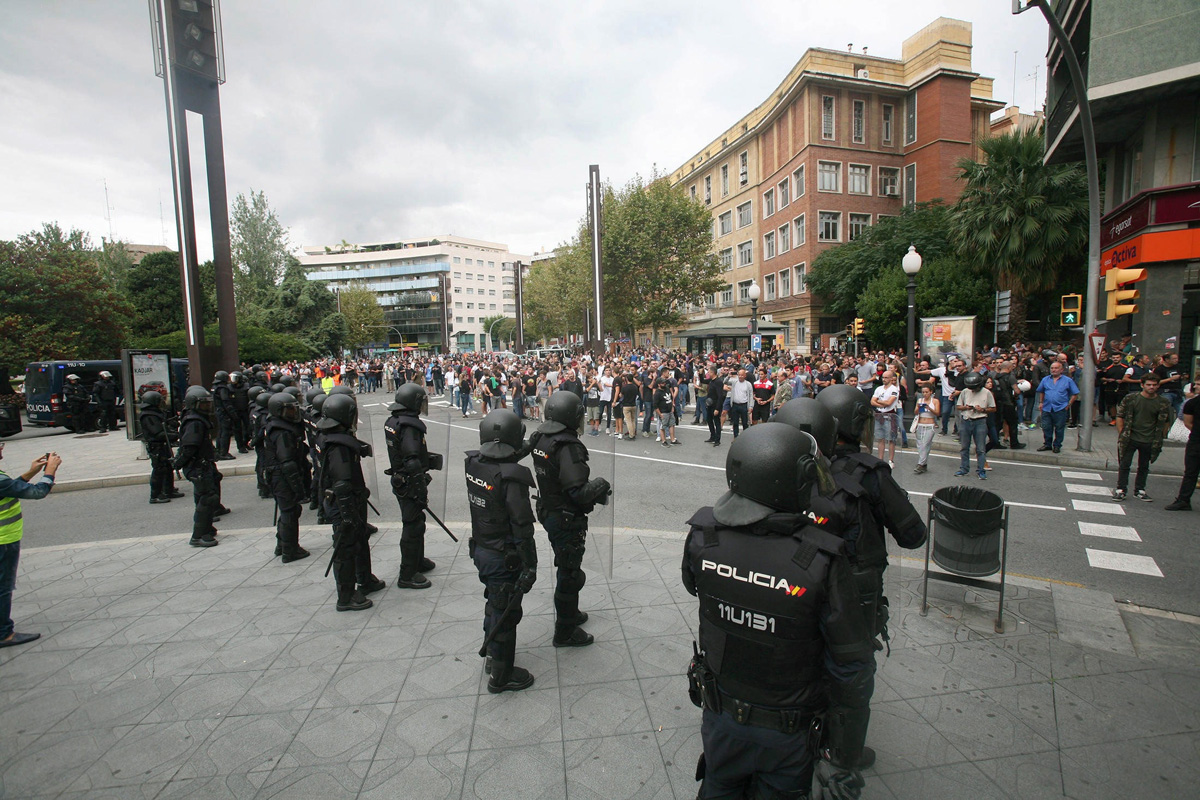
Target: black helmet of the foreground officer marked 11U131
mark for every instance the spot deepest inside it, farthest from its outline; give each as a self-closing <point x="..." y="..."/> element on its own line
<point x="770" y="468"/>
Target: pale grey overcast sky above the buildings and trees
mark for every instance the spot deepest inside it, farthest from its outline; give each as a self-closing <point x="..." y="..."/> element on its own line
<point x="382" y="121"/>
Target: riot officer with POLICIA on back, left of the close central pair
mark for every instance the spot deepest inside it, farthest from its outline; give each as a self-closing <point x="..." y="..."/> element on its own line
<point x="502" y="540"/>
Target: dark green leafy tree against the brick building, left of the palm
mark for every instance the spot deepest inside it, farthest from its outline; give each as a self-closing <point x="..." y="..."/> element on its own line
<point x="842" y="274"/>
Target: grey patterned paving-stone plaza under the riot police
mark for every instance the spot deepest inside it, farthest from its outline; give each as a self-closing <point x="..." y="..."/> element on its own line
<point x="166" y="672"/>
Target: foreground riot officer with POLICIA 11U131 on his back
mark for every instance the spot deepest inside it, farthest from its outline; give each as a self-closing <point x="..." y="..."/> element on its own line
<point x="779" y="623"/>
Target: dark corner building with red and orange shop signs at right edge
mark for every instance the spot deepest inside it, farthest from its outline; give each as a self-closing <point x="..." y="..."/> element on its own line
<point x="1142" y="63"/>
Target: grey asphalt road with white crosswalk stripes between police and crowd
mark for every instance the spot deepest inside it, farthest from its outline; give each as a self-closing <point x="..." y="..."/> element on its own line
<point x="659" y="489"/>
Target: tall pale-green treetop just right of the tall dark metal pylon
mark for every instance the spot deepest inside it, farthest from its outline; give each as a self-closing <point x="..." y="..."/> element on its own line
<point x="260" y="245"/>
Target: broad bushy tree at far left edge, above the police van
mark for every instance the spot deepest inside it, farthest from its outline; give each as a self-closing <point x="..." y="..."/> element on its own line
<point x="55" y="303"/>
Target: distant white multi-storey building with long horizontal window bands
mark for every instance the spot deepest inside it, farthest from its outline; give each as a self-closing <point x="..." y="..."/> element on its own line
<point x="435" y="293"/>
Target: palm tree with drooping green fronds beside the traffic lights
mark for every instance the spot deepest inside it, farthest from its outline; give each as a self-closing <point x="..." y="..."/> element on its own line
<point x="1021" y="219"/>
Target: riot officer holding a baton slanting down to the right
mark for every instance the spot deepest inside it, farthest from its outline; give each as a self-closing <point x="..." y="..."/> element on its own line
<point x="411" y="461"/>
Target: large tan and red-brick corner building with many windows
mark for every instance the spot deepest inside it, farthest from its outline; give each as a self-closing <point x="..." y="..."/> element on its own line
<point x="847" y="140"/>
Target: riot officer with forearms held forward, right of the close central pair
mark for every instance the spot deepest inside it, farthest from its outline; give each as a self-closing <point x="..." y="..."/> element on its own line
<point x="566" y="497"/>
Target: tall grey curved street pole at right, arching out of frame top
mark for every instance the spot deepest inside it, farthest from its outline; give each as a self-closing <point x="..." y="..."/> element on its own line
<point x="1088" y="386"/>
